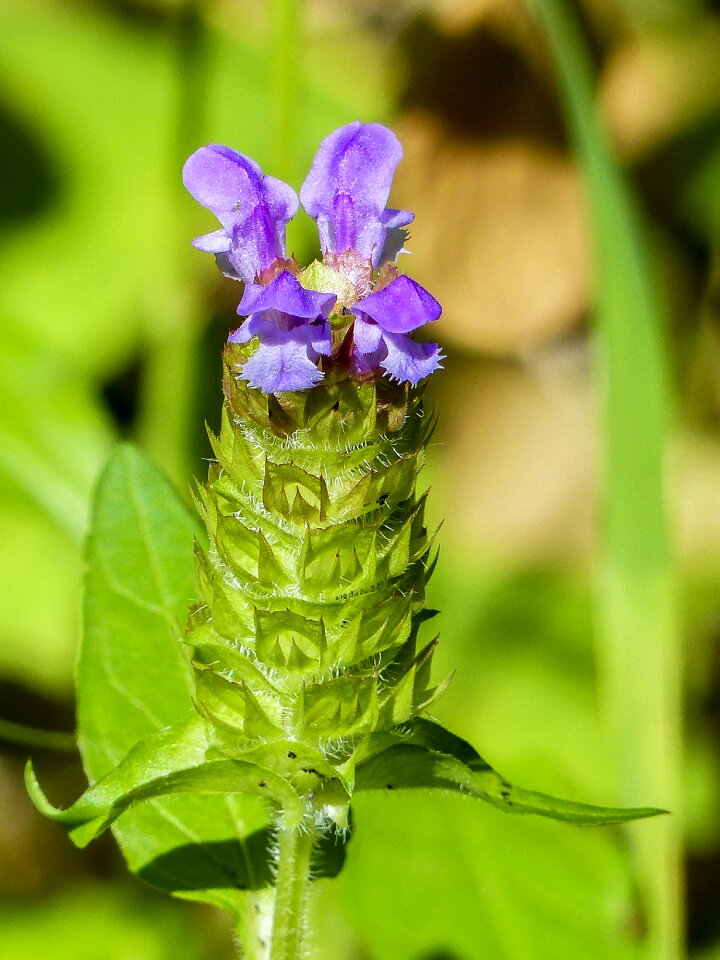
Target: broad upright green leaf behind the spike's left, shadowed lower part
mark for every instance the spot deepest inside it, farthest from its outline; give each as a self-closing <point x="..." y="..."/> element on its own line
<point x="133" y="682"/>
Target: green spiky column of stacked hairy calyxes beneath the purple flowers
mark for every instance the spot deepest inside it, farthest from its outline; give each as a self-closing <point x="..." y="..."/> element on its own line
<point x="313" y="589"/>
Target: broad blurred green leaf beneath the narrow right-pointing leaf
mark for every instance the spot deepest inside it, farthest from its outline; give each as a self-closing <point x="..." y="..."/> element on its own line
<point x="472" y="884"/>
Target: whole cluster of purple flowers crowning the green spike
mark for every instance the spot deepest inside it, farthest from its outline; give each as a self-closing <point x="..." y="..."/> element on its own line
<point x="373" y="309"/>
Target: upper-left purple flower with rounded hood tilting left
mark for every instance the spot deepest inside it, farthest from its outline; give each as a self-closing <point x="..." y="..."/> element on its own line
<point x="253" y="210"/>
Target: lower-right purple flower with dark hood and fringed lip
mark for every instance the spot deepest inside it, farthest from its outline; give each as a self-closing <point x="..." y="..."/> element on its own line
<point x="382" y="321"/>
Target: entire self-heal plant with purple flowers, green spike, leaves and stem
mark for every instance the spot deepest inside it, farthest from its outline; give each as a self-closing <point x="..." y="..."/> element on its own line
<point x="310" y="680"/>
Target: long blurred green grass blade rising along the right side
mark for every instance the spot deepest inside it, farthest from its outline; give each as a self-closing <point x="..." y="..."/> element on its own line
<point x="638" y="642"/>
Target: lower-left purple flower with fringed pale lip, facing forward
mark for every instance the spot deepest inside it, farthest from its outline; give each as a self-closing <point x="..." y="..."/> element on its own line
<point x="292" y="327"/>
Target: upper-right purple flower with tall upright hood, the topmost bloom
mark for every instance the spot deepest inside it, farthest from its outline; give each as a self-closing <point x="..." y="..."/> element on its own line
<point x="347" y="189"/>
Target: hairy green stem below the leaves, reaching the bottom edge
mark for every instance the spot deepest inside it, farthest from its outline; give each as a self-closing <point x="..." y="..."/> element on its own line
<point x="292" y="886"/>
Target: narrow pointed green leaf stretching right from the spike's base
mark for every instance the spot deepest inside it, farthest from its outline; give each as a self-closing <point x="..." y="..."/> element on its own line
<point x="415" y="764"/>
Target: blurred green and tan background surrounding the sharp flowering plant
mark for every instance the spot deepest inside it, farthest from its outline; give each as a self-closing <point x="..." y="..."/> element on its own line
<point x="568" y="667"/>
